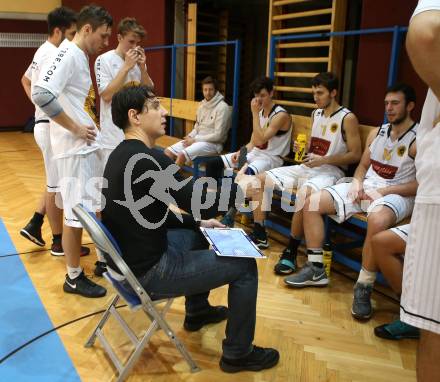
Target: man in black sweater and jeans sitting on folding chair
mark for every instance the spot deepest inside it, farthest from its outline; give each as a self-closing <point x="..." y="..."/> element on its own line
<point x="165" y="249"/>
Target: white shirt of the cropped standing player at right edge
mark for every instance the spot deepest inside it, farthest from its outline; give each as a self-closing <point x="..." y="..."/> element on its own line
<point x="428" y="136"/>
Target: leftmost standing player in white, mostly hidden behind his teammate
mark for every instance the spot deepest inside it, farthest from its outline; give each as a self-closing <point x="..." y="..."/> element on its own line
<point x="61" y="24"/>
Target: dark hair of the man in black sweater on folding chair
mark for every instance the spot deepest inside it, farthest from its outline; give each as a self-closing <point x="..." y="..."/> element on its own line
<point x="132" y="97"/>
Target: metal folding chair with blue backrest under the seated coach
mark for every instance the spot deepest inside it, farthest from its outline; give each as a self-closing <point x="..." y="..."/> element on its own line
<point x="137" y="299"/>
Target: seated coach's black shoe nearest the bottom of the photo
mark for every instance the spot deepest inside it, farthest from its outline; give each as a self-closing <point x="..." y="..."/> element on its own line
<point x="258" y="359"/>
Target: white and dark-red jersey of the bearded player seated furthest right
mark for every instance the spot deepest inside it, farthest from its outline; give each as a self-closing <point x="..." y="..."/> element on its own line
<point x="391" y="163"/>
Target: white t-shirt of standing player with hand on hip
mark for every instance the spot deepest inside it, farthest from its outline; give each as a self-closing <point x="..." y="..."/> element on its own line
<point x="67" y="77"/>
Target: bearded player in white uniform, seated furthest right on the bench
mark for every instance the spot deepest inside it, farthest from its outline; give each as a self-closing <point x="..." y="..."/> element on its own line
<point x="384" y="186"/>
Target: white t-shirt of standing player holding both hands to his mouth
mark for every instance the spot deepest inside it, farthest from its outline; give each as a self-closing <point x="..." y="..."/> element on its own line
<point x="107" y="66"/>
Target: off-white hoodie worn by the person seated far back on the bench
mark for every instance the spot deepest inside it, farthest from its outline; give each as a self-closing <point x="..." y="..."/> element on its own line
<point x="213" y="121"/>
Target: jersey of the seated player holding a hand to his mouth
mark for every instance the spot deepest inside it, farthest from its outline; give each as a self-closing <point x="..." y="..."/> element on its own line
<point x="279" y="144"/>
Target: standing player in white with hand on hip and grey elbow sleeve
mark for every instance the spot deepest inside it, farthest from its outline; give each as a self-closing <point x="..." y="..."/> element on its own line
<point x="64" y="91"/>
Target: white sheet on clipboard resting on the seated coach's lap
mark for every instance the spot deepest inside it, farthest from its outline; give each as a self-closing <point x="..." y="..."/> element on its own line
<point x="231" y="242"/>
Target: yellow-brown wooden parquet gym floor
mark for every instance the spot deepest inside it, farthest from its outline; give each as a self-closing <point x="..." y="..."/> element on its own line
<point x="312" y="328"/>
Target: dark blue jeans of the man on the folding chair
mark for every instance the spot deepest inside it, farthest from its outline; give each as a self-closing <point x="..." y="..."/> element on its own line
<point x="188" y="270"/>
